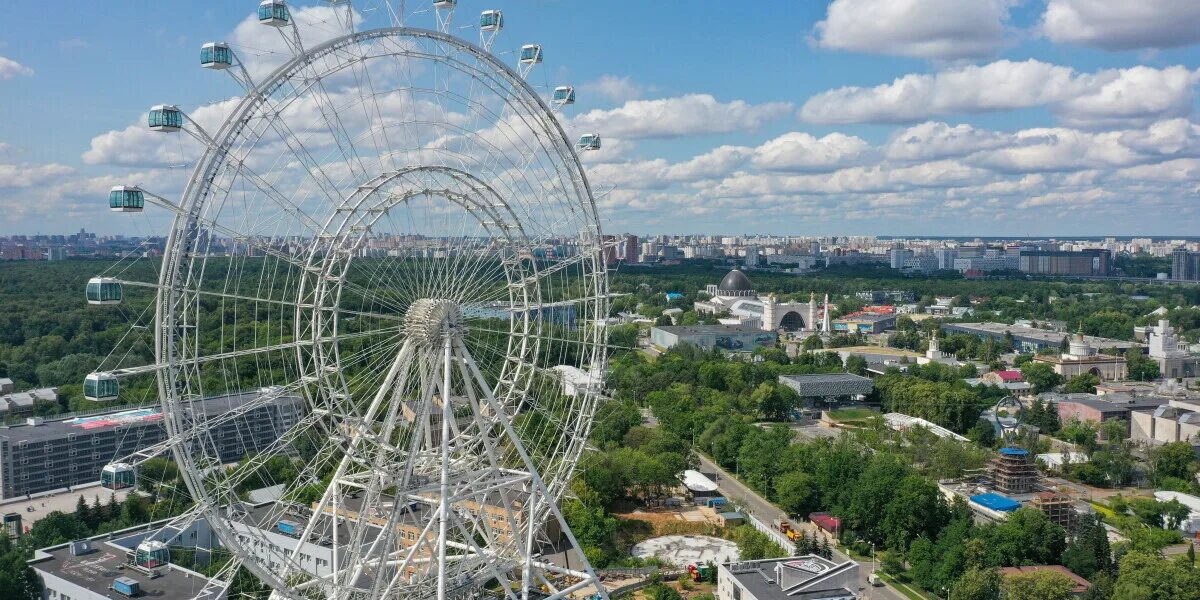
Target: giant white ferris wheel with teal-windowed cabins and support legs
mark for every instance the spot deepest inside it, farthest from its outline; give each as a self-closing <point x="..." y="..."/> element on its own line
<point x="392" y="235"/>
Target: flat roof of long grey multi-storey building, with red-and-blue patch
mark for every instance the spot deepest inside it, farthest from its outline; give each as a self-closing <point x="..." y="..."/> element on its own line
<point x="59" y="429"/>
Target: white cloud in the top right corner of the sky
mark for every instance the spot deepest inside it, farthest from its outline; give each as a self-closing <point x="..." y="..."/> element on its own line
<point x="1124" y="25"/>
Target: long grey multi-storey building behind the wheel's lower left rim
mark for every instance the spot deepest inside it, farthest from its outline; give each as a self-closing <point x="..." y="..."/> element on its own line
<point x="49" y="455"/>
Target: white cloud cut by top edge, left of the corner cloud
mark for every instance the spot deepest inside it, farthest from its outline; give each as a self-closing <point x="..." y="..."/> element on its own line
<point x="934" y="29"/>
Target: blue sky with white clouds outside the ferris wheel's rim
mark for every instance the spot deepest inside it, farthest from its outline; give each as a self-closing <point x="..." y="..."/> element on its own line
<point x="1036" y="118"/>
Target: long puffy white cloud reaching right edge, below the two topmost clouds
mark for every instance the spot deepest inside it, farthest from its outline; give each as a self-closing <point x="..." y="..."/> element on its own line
<point x="1107" y="98"/>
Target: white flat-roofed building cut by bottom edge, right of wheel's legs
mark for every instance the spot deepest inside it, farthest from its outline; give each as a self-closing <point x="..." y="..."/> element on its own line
<point x="808" y="578"/>
